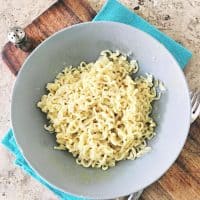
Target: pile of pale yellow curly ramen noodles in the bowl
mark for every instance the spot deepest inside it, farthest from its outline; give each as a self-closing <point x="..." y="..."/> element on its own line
<point x="100" y="112"/>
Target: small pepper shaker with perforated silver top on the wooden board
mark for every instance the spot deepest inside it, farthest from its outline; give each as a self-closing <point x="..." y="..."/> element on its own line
<point x="18" y="37"/>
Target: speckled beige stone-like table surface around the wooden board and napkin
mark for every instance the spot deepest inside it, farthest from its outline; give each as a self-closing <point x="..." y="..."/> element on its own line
<point x="180" y="19"/>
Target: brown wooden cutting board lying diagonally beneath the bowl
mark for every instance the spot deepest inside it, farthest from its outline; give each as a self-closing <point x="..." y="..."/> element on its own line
<point x="182" y="181"/>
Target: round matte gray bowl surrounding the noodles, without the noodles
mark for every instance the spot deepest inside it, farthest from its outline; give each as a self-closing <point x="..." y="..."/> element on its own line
<point x="84" y="42"/>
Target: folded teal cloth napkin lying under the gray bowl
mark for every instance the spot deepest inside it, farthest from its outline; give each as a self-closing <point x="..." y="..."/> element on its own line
<point x="111" y="11"/>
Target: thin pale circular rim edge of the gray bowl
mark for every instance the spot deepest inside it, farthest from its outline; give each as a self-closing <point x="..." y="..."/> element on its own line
<point x="24" y="66"/>
